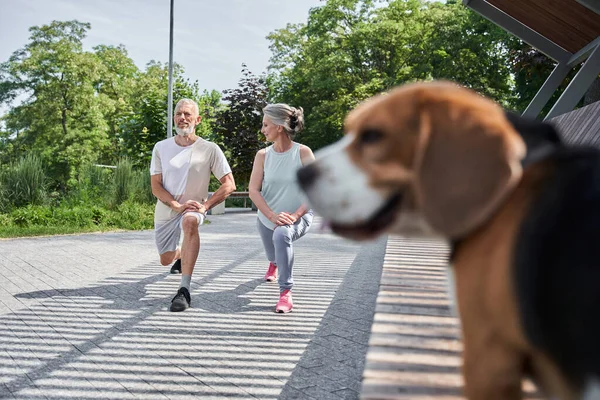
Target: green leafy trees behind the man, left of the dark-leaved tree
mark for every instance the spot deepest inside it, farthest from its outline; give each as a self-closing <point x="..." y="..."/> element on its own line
<point x="85" y="107"/>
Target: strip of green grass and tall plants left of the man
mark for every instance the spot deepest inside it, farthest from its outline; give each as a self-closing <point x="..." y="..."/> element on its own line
<point x="98" y="200"/>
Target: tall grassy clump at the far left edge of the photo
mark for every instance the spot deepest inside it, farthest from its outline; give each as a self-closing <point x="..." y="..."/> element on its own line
<point x="23" y="182"/>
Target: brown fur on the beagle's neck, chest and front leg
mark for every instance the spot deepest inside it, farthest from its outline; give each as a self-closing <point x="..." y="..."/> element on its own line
<point x="496" y="351"/>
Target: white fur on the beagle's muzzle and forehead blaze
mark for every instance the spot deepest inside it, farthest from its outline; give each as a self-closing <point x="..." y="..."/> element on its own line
<point x="342" y="193"/>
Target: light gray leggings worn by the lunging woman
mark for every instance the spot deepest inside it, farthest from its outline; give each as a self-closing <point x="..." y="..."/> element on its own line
<point x="278" y="246"/>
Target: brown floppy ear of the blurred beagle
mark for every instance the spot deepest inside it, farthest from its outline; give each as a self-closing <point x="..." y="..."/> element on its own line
<point x="469" y="161"/>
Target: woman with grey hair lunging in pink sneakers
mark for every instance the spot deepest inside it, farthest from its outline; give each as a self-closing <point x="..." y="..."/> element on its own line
<point x="282" y="217"/>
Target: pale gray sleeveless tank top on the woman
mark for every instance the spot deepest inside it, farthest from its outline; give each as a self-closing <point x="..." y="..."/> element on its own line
<point x="279" y="187"/>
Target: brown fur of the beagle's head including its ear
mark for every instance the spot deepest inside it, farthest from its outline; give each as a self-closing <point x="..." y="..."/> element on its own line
<point x="427" y="130"/>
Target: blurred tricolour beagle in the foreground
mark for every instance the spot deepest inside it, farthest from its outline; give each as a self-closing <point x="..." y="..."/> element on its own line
<point x="520" y="209"/>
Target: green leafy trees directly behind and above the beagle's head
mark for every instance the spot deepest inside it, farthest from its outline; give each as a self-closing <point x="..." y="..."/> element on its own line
<point x="350" y="50"/>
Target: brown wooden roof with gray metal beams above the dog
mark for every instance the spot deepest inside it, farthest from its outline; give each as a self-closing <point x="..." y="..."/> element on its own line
<point x="568" y="31"/>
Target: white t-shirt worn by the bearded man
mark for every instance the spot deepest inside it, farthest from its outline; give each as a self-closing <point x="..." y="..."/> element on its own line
<point x="173" y="162"/>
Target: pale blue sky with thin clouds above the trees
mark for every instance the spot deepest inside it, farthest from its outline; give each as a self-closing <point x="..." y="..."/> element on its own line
<point x="212" y="38"/>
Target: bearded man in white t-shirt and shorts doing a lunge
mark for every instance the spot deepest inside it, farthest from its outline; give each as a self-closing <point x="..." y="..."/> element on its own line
<point x="180" y="173"/>
